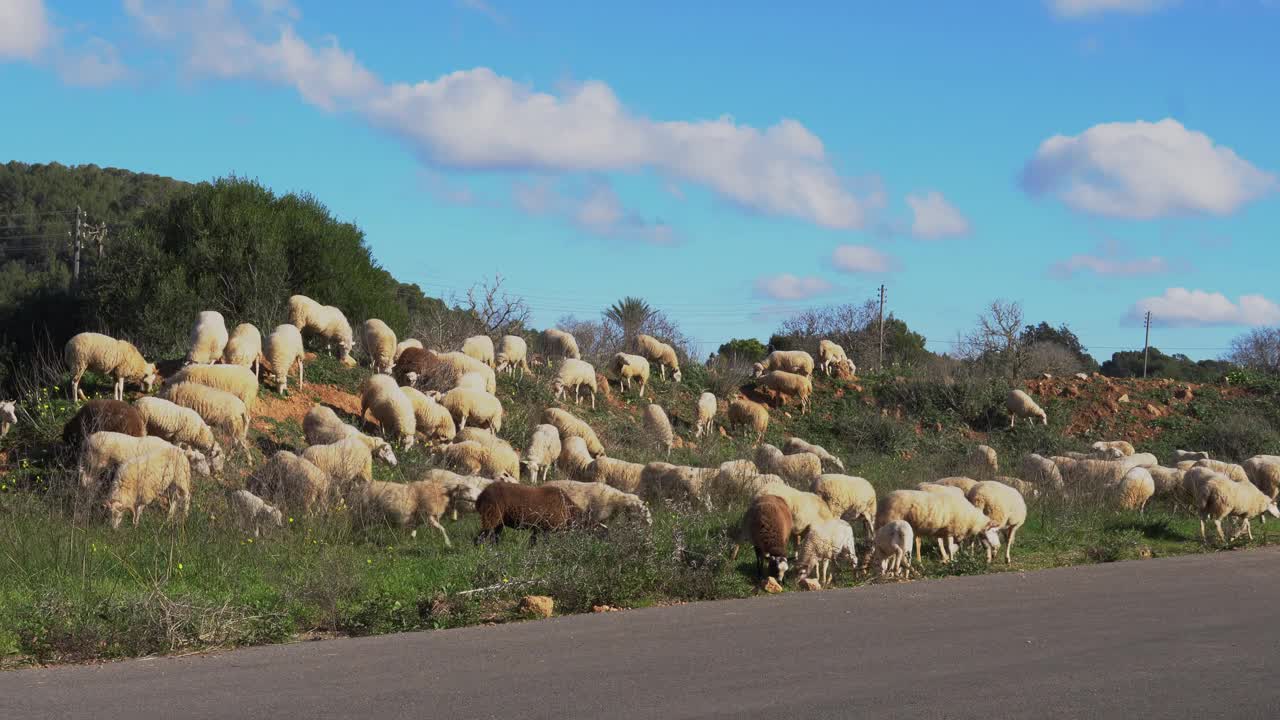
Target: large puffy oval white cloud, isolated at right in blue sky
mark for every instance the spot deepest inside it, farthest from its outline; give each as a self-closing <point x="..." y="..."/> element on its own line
<point x="1144" y="171"/>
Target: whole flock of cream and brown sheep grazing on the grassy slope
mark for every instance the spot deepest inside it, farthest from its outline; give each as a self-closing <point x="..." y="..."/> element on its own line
<point x="132" y="455"/>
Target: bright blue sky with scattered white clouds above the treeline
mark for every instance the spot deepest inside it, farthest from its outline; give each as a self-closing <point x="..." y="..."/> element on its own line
<point x="732" y="163"/>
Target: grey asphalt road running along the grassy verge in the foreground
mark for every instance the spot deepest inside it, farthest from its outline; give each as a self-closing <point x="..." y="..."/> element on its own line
<point x="1185" y="637"/>
